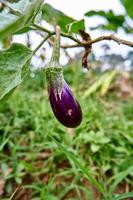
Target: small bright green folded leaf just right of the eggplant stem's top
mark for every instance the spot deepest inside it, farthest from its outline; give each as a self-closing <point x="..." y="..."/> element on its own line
<point x="75" y="26"/>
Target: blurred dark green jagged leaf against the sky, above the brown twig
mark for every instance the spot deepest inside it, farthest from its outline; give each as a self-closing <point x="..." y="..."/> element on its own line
<point x="113" y="21"/>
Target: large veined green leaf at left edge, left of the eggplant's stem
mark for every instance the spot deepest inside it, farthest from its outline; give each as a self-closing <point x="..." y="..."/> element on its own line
<point x="13" y="68"/>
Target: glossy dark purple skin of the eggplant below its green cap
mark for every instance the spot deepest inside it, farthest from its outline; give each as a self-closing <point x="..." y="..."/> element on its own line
<point x="65" y="107"/>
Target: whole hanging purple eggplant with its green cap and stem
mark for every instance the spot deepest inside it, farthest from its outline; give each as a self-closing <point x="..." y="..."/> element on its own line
<point x="64" y="105"/>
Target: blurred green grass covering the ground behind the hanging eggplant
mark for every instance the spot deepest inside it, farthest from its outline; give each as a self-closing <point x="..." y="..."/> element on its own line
<point x="42" y="160"/>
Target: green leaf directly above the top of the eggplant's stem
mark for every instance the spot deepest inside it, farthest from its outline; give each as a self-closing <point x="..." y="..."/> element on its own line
<point x="55" y="17"/>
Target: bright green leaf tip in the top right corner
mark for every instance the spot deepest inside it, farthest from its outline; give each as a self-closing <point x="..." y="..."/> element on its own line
<point x="128" y="4"/>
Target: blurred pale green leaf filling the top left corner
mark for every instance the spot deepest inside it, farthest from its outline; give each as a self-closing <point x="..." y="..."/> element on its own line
<point x="10" y="23"/>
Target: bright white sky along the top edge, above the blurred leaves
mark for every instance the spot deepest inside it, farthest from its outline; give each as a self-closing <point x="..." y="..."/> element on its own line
<point x="77" y="8"/>
